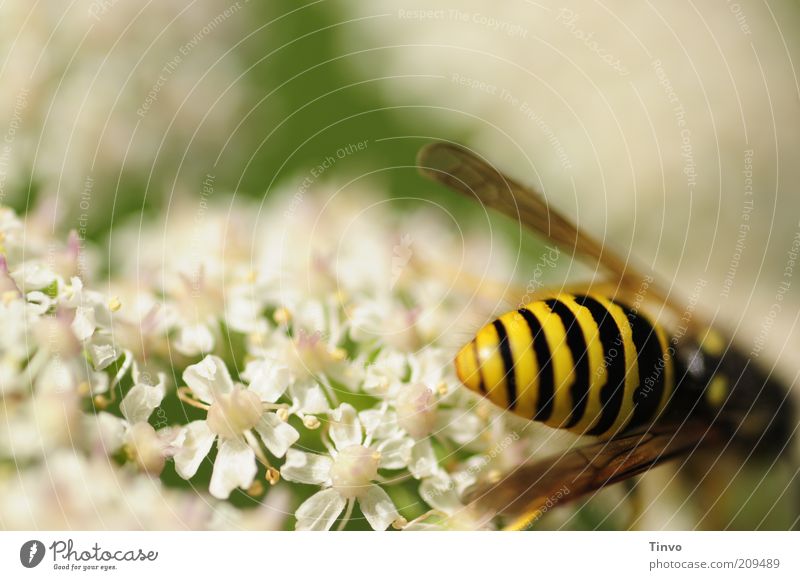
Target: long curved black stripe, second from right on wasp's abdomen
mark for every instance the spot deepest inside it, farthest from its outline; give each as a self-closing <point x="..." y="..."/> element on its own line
<point x="614" y="358"/>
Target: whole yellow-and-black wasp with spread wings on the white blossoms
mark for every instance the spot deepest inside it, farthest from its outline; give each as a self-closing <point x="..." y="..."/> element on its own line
<point x="620" y="359"/>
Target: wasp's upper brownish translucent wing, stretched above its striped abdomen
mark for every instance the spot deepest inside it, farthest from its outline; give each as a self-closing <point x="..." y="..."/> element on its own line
<point x="463" y="171"/>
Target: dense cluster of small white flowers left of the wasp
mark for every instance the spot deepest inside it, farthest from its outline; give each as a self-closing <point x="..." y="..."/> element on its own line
<point x="295" y="358"/>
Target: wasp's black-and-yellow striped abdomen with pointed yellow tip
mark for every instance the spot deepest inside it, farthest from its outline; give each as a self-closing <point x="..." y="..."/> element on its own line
<point x="584" y="363"/>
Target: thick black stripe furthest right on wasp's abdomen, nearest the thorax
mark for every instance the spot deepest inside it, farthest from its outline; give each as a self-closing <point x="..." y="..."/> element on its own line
<point x="652" y="368"/>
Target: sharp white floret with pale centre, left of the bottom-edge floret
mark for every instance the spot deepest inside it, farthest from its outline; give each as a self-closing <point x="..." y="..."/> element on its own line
<point x="234" y="414"/>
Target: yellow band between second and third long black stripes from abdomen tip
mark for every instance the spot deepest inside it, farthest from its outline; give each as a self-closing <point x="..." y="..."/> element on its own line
<point x="562" y="362"/>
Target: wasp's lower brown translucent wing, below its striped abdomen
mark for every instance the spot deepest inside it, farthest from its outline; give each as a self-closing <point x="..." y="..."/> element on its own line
<point x="524" y="491"/>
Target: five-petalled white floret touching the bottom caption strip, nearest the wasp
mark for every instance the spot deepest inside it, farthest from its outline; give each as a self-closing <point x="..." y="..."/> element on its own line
<point x="346" y="474"/>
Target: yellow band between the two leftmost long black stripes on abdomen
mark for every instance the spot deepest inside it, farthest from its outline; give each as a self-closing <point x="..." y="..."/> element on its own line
<point x="525" y="364"/>
